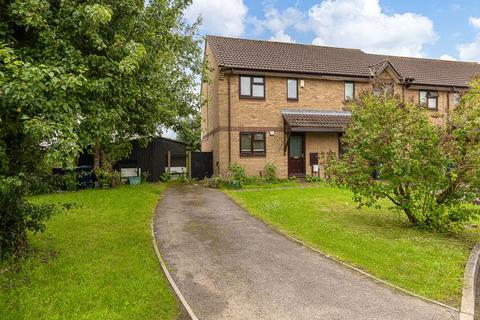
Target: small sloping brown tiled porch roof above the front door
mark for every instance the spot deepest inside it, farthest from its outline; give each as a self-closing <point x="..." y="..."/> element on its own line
<point x="300" y="120"/>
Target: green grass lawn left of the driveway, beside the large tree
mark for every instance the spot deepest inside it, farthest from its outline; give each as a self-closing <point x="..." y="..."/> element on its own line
<point x="93" y="262"/>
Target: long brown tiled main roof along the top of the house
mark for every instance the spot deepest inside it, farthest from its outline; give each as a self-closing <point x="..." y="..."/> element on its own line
<point x="298" y="58"/>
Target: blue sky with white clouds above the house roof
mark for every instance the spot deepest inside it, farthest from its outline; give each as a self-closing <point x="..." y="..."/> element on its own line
<point x="424" y="28"/>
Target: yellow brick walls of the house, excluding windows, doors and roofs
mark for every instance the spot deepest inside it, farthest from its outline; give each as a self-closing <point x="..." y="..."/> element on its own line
<point x="253" y="115"/>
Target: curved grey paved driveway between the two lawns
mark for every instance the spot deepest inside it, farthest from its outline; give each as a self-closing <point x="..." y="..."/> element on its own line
<point x="230" y="265"/>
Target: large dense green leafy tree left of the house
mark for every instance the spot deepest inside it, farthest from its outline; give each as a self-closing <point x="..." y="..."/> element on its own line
<point x="92" y="75"/>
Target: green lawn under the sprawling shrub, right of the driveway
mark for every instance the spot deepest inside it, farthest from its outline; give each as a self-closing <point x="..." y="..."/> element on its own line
<point x="377" y="241"/>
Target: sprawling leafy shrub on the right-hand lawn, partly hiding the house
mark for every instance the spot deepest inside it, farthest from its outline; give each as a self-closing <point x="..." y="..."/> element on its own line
<point x="429" y="172"/>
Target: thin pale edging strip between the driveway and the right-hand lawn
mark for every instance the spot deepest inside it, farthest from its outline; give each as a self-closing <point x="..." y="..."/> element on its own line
<point x="349" y="266"/>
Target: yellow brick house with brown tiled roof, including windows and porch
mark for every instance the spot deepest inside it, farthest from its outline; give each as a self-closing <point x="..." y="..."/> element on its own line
<point x="283" y="103"/>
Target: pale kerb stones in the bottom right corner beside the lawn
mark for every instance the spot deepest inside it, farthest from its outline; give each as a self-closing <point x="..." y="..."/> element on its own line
<point x="467" y="309"/>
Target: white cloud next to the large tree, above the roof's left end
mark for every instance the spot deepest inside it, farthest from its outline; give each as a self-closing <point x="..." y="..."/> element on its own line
<point x="220" y="17"/>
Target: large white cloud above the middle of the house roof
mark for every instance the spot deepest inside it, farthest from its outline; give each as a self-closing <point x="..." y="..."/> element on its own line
<point x="363" y="24"/>
